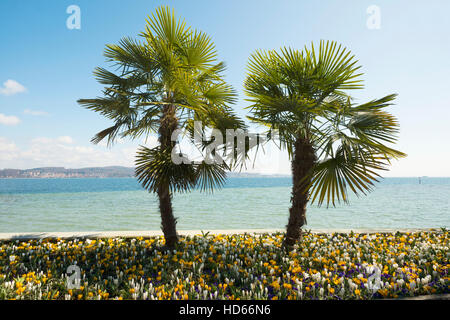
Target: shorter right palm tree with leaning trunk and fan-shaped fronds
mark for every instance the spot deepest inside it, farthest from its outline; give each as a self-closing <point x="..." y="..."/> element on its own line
<point x="333" y="143"/>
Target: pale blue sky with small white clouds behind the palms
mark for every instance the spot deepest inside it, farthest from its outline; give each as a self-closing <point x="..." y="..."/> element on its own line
<point x="45" y="67"/>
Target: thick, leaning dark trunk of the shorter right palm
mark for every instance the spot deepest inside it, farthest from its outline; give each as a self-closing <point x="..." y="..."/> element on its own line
<point x="303" y="161"/>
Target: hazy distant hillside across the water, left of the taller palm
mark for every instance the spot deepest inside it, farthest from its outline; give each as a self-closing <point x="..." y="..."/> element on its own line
<point x="60" y="172"/>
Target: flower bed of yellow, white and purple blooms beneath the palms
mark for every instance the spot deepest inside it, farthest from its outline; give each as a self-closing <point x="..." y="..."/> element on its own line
<point x="323" y="266"/>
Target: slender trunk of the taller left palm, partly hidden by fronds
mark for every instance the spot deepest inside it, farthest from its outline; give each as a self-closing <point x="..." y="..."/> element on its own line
<point x="168" y="124"/>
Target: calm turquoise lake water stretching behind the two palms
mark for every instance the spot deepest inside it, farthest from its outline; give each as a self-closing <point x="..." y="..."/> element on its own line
<point x="34" y="205"/>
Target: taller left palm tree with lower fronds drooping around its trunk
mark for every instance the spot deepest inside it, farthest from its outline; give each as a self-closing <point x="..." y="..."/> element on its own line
<point x="165" y="83"/>
